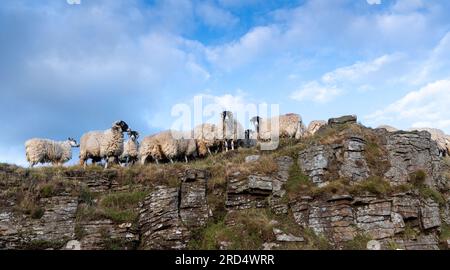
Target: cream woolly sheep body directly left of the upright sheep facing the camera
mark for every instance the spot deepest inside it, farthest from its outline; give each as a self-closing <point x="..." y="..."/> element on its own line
<point x="207" y="138"/>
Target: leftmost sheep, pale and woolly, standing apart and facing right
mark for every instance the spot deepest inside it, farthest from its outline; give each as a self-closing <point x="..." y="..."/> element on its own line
<point x="49" y="151"/>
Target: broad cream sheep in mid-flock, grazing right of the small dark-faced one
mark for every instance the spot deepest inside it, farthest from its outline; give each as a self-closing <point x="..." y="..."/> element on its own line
<point x="168" y="144"/>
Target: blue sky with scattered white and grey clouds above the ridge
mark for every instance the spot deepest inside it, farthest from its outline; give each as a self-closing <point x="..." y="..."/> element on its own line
<point x="67" y="69"/>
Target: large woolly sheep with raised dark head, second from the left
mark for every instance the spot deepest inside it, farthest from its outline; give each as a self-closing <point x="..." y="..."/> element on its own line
<point x="107" y="144"/>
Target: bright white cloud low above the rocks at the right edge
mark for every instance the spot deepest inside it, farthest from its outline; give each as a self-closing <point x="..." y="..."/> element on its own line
<point x="426" y="106"/>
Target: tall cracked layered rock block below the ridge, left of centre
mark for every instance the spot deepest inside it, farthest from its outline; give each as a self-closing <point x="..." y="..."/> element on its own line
<point x="168" y="214"/>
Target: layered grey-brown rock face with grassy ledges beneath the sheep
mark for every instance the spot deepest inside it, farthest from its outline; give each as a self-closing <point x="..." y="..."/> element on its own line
<point x="171" y="214"/>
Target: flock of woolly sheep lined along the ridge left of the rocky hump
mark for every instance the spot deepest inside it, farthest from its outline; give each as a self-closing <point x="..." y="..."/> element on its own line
<point x="203" y="140"/>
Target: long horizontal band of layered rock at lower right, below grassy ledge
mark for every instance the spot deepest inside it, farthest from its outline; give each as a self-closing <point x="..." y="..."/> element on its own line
<point x="342" y="217"/>
